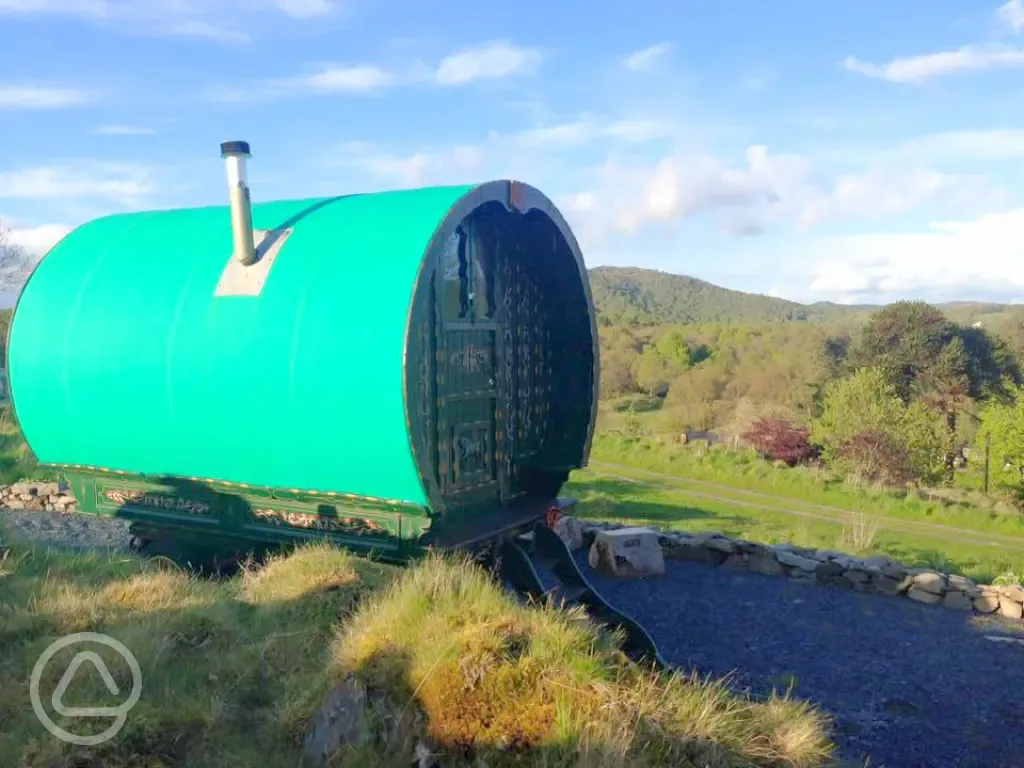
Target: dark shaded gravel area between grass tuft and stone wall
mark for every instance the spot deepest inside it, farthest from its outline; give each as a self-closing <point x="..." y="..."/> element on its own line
<point x="908" y="686"/>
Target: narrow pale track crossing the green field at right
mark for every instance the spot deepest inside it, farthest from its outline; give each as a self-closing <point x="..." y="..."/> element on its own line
<point x="825" y="514"/>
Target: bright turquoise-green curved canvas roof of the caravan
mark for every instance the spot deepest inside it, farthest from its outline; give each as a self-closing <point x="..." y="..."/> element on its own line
<point x="121" y="357"/>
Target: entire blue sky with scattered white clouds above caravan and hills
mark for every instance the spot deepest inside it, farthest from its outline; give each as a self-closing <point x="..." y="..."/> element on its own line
<point x="849" y="151"/>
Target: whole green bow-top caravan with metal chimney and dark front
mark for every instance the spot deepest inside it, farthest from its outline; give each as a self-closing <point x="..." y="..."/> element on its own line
<point x="388" y="370"/>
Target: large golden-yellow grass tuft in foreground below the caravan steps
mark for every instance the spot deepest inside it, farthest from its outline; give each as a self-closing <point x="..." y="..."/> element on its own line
<point x="500" y="684"/>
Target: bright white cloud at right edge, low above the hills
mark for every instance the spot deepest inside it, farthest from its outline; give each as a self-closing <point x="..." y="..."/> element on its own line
<point x="978" y="258"/>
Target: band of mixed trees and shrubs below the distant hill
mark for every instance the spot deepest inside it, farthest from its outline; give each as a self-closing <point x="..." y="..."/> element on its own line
<point x="894" y="399"/>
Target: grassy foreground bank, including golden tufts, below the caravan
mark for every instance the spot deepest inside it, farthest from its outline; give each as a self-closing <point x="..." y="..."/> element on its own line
<point x="234" y="670"/>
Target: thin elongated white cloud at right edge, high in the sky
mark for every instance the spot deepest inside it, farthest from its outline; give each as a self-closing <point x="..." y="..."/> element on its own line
<point x="917" y="70"/>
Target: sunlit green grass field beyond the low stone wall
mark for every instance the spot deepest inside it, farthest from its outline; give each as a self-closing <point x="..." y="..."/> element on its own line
<point x="753" y="499"/>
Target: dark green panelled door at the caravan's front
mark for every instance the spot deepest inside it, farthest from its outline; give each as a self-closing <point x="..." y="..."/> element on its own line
<point x="468" y="354"/>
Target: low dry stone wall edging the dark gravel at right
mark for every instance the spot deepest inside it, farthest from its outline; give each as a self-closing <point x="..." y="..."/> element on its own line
<point x="878" y="575"/>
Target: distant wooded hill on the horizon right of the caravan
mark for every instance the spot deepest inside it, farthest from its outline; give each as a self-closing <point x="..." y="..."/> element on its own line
<point x="635" y="296"/>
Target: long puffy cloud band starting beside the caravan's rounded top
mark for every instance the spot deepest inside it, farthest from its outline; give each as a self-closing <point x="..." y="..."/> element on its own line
<point x="766" y="190"/>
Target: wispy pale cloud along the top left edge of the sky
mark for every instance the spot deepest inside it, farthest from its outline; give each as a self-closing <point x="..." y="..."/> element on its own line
<point x="188" y="19"/>
